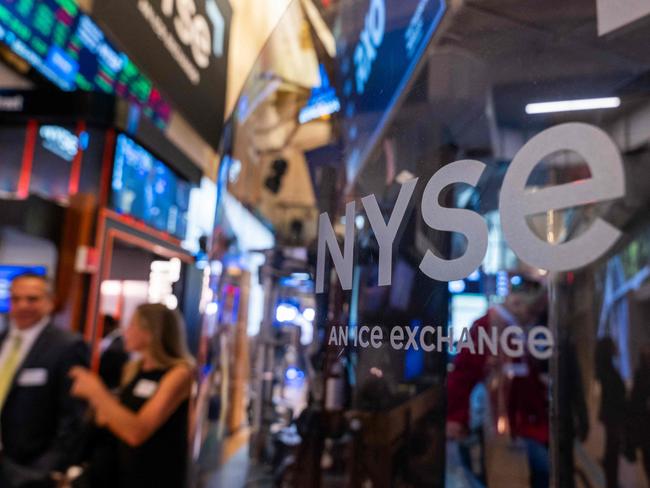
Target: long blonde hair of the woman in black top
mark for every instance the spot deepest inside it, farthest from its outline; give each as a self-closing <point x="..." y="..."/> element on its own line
<point x="168" y="345"/>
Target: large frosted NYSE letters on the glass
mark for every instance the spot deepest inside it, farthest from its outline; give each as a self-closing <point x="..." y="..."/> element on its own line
<point x="516" y="203"/>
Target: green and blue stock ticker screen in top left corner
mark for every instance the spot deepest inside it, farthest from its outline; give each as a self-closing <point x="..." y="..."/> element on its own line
<point x="69" y="49"/>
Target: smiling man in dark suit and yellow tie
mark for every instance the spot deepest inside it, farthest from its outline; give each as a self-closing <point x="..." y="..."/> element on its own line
<point x="39" y="420"/>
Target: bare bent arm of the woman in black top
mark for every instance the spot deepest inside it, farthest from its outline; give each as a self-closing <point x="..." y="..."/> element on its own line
<point x="135" y="428"/>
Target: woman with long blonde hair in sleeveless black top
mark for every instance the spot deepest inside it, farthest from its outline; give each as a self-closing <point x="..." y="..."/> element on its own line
<point x="149" y="418"/>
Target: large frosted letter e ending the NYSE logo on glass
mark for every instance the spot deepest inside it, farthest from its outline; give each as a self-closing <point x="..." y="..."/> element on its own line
<point x="607" y="182"/>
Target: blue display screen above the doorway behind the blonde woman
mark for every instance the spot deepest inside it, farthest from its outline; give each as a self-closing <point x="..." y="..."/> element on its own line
<point x="147" y="189"/>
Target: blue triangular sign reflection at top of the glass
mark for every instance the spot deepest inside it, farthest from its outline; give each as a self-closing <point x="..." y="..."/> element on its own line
<point x="380" y="43"/>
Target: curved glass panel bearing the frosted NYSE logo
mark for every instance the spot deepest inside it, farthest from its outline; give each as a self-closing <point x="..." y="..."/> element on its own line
<point x="562" y="399"/>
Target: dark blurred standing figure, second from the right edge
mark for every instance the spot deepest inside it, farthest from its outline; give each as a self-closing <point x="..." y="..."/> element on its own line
<point x="612" y="407"/>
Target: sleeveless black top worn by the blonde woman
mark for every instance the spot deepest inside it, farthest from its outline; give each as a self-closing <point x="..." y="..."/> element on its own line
<point x="162" y="460"/>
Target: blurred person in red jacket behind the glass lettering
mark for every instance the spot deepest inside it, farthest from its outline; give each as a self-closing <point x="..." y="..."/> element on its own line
<point x="521" y="398"/>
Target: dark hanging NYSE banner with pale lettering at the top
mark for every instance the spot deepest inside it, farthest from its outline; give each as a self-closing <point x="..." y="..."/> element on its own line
<point x="183" y="46"/>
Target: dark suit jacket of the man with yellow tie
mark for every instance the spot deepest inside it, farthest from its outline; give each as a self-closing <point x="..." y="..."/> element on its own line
<point x="40" y="422"/>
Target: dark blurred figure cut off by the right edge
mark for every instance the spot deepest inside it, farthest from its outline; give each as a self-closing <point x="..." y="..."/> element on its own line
<point x="638" y="429"/>
